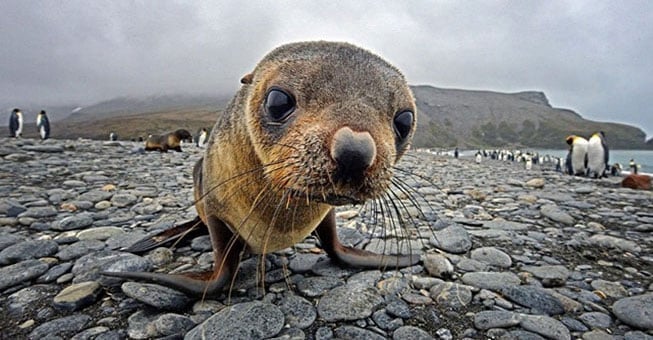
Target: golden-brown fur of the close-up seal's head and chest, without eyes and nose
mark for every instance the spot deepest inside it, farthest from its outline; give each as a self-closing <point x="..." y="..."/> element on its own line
<point x="335" y="85"/>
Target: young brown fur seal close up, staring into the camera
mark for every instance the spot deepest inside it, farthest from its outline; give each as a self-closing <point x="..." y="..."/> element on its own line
<point x="314" y="126"/>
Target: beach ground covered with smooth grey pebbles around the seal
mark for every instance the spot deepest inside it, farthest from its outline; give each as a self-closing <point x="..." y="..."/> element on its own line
<point x="506" y="254"/>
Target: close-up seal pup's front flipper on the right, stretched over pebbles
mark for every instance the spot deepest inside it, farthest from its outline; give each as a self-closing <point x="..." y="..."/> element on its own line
<point x="355" y="257"/>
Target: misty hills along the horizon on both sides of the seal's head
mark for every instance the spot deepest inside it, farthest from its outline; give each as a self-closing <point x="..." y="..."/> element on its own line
<point x="446" y="118"/>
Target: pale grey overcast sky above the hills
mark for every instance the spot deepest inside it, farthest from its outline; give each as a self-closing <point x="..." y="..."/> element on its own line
<point x="595" y="57"/>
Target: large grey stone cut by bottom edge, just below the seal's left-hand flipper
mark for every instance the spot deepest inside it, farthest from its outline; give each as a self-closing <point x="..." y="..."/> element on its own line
<point x="249" y="320"/>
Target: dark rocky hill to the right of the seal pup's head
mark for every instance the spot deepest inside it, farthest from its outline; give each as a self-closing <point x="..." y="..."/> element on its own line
<point x="484" y="119"/>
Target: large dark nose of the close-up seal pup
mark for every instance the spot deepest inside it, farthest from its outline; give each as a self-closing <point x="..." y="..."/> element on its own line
<point x="354" y="152"/>
